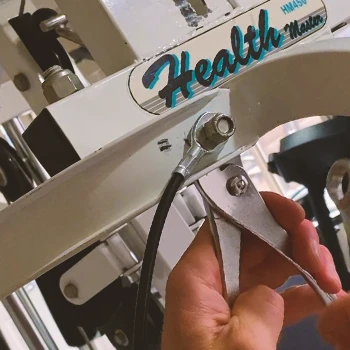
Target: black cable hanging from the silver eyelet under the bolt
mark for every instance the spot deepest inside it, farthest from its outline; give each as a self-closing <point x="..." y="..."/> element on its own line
<point x="149" y="259"/>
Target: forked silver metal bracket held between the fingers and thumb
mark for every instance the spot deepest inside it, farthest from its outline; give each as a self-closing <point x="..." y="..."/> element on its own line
<point x="249" y="212"/>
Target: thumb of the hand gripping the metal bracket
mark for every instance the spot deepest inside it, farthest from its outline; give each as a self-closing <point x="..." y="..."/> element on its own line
<point x="257" y="319"/>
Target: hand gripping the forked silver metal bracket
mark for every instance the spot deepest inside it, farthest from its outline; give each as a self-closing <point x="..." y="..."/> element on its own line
<point x="197" y="316"/>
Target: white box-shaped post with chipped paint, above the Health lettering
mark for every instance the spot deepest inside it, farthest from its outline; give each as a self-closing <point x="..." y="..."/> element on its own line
<point x="135" y="31"/>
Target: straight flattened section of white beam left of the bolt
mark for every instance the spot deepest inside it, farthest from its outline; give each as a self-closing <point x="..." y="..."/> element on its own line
<point x="93" y="198"/>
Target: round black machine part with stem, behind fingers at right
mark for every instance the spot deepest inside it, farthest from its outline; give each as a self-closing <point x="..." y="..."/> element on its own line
<point x="306" y="157"/>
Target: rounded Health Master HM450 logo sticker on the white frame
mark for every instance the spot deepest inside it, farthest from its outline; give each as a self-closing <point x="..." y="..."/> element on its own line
<point x="185" y="71"/>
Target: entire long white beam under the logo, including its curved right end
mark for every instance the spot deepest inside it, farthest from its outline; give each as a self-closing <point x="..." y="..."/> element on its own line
<point x="107" y="189"/>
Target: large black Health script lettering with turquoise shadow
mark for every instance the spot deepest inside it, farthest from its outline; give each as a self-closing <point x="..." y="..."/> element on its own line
<point x="207" y="72"/>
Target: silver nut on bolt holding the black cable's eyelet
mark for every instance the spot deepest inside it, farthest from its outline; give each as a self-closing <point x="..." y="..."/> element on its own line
<point x="220" y="128"/>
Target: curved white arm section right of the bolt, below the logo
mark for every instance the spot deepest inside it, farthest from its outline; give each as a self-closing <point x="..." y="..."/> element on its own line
<point x="306" y="81"/>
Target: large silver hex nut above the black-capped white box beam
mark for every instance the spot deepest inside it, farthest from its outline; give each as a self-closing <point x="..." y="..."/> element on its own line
<point x="61" y="84"/>
